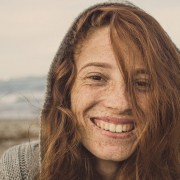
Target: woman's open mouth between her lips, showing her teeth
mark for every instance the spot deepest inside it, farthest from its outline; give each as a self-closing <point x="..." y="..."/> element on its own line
<point x="121" y="127"/>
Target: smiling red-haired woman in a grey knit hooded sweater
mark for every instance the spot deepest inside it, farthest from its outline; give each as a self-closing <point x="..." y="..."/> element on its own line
<point x="112" y="104"/>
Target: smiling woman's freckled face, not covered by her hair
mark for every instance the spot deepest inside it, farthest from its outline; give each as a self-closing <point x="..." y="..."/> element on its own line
<point x="100" y="101"/>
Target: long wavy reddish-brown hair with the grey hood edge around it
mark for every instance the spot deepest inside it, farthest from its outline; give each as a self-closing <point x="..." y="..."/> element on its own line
<point x="157" y="154"/>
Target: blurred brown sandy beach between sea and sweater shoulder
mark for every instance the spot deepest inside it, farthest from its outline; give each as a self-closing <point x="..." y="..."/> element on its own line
<point x="13" y="132"/>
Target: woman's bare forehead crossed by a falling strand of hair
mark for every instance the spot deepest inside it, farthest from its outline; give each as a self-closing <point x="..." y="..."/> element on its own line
<point x="97" y="47"/>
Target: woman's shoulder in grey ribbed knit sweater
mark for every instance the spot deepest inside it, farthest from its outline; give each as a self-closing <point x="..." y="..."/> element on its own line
<point x="20" y="162"/>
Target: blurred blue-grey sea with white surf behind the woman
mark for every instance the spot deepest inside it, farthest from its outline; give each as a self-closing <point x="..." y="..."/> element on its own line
<point x="22" y="98"/>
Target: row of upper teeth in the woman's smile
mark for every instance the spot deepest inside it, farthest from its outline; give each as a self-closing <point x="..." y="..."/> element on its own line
<point x="119" y="128"/>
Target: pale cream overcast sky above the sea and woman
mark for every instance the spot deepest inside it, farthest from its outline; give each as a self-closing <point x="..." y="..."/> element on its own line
<point x="31" y="30"/>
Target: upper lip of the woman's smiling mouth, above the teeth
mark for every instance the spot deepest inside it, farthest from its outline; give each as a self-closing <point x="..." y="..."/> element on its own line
<point x="114" y="120"/>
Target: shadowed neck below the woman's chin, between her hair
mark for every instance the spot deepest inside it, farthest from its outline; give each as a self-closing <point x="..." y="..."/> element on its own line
<point x="107" y="169"/>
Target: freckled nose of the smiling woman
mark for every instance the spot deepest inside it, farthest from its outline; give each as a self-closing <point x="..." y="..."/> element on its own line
<point x="116" y="97"/>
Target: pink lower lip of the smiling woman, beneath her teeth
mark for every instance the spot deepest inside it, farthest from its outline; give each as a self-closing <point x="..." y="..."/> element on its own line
<point x="124" y="135"/>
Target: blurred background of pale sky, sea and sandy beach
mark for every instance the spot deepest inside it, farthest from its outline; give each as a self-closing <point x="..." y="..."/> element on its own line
<point x="30" y="34"/>
